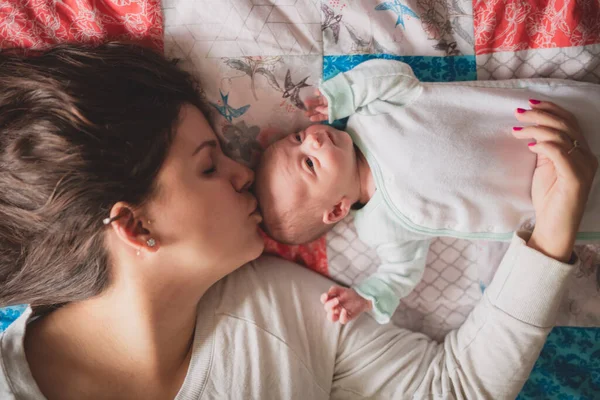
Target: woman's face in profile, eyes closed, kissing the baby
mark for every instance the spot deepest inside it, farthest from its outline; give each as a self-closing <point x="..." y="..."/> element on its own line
<point x="204" y="216"/>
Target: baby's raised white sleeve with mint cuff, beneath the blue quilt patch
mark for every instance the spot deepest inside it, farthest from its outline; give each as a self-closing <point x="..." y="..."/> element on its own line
<point x="387" y="80"/>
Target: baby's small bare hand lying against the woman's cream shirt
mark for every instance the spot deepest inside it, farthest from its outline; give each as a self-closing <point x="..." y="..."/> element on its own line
<point x="343" y="304"/>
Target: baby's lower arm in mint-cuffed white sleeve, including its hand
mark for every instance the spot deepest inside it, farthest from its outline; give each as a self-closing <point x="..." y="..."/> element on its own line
<point x="401" y="270"/>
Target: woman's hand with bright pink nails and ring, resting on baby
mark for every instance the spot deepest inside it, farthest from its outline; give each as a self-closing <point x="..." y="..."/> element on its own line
<point x="562" y="178"/>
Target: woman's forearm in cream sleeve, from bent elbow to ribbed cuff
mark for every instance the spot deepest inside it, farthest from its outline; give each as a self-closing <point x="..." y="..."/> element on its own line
<point x="498" y="345"/>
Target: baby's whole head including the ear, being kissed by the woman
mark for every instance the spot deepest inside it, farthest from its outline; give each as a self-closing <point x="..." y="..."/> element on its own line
<point x="306" y="182"/>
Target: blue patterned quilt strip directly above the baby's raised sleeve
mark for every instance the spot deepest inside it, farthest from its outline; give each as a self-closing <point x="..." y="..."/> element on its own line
<point x="427" y="69"/>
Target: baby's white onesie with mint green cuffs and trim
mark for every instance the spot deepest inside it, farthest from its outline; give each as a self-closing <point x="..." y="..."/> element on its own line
<point x="445" y="162"/>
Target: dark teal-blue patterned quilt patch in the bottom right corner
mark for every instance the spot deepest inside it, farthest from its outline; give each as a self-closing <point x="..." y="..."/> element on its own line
<point x="568" y="367"/>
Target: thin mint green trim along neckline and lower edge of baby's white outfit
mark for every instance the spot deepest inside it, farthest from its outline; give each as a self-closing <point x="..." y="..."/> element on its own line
<point x="377" y="174"/>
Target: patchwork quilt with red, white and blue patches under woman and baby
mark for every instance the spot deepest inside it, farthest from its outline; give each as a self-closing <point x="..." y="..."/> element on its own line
<point x="259" y="59"/>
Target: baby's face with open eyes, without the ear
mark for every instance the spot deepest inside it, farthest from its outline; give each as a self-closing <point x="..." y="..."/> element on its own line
<point x="317" y="164"/>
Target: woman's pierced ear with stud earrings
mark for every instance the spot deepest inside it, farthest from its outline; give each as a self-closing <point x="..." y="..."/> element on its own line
<point x="131" y="230"/>
